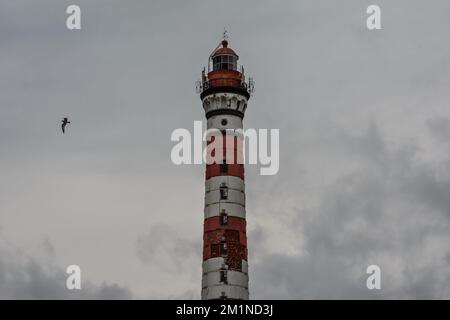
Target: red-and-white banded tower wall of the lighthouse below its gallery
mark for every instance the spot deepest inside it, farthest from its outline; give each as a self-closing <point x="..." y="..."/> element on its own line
<point x="225" y="268"/>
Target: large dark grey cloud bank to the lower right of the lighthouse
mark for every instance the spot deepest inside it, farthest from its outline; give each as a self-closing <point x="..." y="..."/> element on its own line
<point x="390" y="217"/>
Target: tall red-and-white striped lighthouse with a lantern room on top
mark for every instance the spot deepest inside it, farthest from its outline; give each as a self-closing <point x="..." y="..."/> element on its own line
<point x="224" y="93"/>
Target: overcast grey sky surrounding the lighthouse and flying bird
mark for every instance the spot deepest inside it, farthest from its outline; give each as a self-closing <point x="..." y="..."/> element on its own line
<point x="364" y="125"/>
